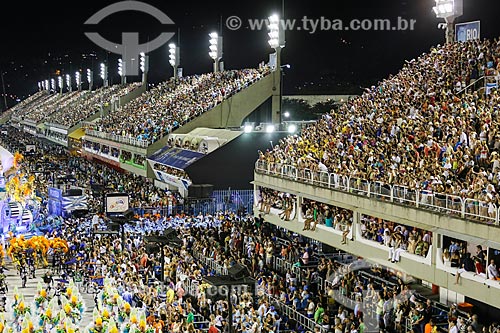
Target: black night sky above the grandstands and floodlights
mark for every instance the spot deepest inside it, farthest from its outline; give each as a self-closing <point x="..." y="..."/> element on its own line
<point x="48" y="37"/>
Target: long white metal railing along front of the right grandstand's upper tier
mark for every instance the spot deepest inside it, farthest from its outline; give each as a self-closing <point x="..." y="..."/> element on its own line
<point x="466" y="208"/>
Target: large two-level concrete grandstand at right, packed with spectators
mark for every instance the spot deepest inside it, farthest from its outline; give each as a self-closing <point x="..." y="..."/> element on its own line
<point x="407" y="173"/>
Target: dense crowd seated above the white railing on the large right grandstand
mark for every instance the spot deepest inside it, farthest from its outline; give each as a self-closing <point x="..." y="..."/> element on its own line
<point x="414" y="129"/>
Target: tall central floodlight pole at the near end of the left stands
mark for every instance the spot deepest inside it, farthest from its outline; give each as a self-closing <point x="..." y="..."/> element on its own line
<point x="277" y="42"/>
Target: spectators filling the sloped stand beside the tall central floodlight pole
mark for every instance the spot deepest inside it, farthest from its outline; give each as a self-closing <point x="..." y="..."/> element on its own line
<point x="175" y="102"/>
